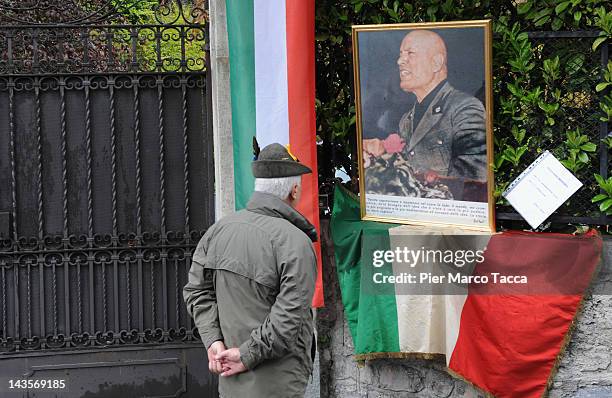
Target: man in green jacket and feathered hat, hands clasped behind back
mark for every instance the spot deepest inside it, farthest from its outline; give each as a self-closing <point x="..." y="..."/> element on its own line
<point x="251" y="284"/>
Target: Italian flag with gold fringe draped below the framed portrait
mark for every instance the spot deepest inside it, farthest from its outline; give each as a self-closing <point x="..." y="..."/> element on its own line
<point x="500" y="313"/>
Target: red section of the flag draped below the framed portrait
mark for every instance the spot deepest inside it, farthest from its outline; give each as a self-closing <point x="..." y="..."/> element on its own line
<point x="508" y="344"/>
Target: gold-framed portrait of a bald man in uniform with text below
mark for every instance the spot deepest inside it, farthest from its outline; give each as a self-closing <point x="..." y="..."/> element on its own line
<point x="424" y="128"/>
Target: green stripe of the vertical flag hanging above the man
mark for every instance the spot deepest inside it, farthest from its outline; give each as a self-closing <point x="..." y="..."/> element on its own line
<point x="240" y="30"/>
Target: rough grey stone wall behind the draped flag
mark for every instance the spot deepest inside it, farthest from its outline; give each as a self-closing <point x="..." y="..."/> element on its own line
<point x="585" y="370"/>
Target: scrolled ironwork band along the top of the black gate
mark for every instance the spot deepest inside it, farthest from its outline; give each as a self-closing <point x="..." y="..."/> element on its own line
<point x="99" y="37"/>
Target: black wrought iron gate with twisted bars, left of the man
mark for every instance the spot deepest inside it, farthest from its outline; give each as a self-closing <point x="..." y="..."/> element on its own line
<point x="106" y="185"/>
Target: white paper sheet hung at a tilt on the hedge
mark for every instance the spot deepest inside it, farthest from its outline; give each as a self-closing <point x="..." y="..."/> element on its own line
<point x="544" y="186"/>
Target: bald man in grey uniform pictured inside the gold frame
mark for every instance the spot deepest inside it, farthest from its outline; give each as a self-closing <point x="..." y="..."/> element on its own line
<point x="443" y="134"/>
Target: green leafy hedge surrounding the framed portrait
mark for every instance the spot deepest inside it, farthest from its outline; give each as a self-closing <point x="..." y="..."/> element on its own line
<point x="549" y="92"/>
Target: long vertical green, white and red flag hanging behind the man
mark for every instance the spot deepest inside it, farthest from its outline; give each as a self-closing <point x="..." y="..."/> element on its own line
<point x="271" y="50"/>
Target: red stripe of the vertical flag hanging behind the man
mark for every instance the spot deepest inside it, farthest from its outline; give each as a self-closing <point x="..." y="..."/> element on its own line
<point x="302" y="125"/>
